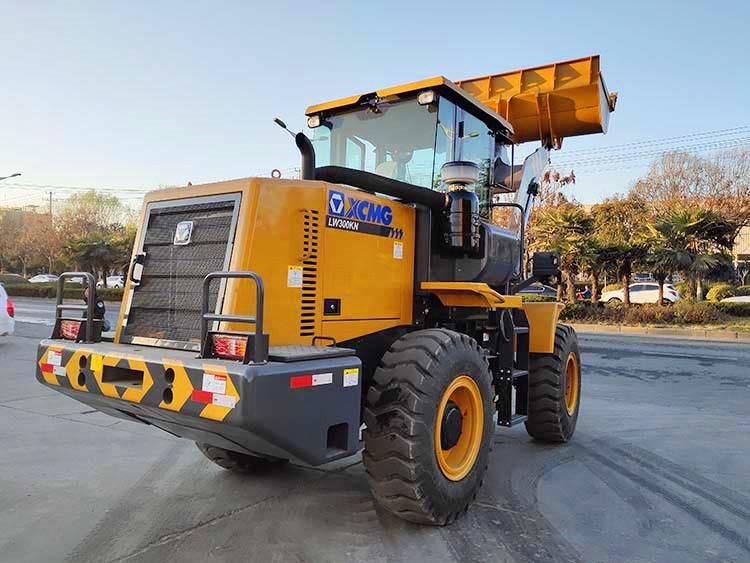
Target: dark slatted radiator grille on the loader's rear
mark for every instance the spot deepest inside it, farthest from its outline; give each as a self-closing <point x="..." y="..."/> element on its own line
<point x="167" y="303"/>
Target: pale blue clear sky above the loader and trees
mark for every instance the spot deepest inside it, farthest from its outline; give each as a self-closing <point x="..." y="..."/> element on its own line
<point x="135" y="95"/>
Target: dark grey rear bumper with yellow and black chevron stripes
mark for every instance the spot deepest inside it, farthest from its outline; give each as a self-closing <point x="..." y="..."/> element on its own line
<point x="256" y="409"/>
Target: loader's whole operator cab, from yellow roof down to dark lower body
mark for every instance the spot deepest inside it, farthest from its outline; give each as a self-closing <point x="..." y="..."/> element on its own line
<point x="434" y="136"/>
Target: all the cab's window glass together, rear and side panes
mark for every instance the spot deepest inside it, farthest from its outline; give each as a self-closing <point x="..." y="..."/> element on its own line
<point x="400" y="139"/>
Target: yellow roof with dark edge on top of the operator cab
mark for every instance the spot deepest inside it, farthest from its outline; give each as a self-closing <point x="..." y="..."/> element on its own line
<point x="440" y="84"/>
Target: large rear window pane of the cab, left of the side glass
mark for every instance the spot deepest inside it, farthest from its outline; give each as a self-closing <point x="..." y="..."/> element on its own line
<point x="395" y="140"/>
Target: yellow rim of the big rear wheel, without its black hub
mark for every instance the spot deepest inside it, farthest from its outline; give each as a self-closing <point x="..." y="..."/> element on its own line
<point x="456" y="462"/>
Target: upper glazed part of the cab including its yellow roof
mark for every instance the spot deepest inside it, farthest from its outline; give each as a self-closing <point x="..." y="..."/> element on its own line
<point x="409" y="133"/>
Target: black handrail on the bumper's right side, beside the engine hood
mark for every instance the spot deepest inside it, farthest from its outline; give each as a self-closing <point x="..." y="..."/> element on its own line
<point x="259" y="341"/>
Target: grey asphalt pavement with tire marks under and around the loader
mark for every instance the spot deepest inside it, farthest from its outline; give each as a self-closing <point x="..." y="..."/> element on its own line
<point x="658" y="471"/>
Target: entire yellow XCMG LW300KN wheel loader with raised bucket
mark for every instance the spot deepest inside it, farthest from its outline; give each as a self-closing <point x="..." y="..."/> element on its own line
<point x="373" y="300"/>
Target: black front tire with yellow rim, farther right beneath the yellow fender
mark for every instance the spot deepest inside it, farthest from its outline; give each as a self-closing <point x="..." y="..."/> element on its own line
<point x="555" y="389"/>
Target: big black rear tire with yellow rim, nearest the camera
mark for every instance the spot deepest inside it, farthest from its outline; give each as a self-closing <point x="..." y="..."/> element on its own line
<point x="422" y="465"/>
